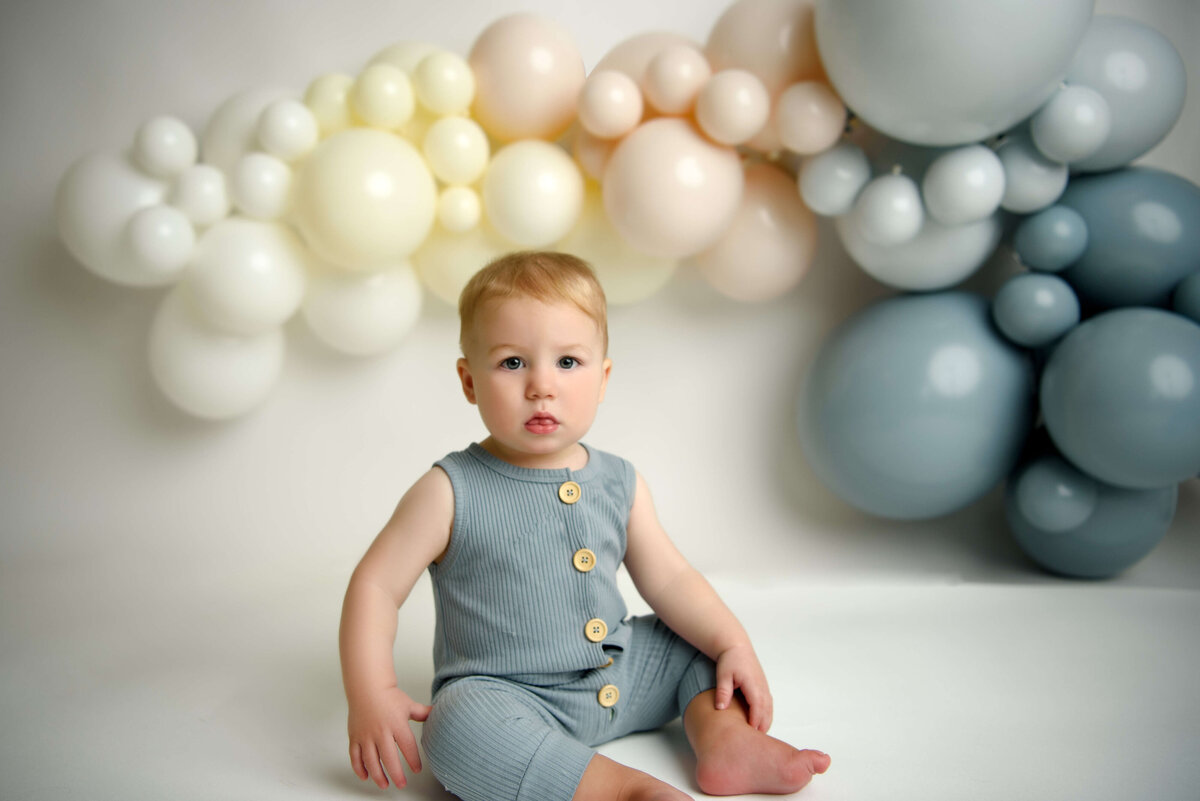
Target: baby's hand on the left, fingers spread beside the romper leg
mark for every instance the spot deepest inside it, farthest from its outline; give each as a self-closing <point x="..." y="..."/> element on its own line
<point x="379" y="726"/>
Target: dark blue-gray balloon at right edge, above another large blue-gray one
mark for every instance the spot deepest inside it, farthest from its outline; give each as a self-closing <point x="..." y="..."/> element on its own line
<point x="1143" y="237"/>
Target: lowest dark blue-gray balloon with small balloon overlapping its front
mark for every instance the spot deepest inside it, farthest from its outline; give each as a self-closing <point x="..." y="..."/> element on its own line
<point x="1096" y="531"/>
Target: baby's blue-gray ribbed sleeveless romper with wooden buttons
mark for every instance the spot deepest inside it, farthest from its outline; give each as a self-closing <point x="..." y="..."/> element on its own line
<point x="536" y="660"/>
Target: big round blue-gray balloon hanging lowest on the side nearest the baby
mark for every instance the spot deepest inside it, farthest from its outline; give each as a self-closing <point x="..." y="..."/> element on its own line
<point x="916" y="407"/>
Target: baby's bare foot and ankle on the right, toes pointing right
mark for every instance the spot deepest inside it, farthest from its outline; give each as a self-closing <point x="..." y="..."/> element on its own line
<point x="734" y="758"/>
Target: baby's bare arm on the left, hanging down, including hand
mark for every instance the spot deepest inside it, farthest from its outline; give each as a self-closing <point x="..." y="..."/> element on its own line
<point x="417" y="534"/>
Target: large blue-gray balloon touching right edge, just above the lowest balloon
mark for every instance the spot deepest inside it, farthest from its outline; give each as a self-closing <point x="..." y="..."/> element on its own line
<point x="1121" y="398"/>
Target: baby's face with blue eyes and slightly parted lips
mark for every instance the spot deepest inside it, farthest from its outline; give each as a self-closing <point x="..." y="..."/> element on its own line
<point x="537" y="372"/>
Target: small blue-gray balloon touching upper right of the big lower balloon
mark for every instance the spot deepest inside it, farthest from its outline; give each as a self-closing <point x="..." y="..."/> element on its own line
<point x="1034" y="310"/>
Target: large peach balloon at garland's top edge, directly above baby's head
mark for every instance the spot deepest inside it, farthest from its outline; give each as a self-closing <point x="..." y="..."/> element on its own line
<point x="529" y="76"/>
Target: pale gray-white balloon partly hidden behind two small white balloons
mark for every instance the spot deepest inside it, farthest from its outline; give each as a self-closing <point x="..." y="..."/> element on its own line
<point x="937" y="258"/>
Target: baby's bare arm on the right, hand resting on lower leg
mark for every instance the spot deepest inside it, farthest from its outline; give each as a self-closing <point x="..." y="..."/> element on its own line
<point x="686" y="603"/>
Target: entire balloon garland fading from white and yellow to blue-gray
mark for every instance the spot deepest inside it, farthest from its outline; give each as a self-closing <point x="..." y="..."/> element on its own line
<point x="350" y="202"/>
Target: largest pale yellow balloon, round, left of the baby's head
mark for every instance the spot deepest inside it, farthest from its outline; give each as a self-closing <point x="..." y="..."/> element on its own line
<point x="364" y="198"/>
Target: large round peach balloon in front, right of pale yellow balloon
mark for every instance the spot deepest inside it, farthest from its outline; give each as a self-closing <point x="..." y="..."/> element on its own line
<point x="670" y="192"/>
